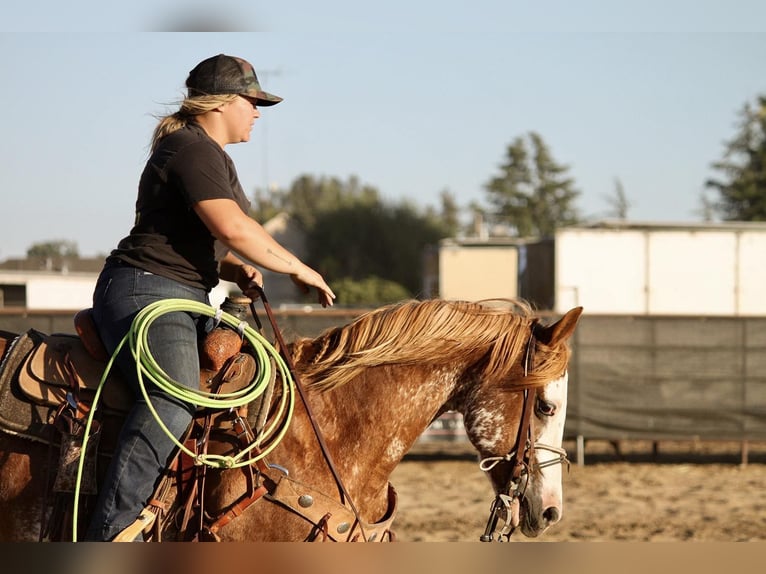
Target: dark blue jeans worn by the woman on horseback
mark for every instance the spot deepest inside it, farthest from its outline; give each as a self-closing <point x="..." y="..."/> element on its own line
<point x="144" y="448"/>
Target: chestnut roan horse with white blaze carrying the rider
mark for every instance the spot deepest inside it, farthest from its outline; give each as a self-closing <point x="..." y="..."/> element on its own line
<point x="370" y="389"/>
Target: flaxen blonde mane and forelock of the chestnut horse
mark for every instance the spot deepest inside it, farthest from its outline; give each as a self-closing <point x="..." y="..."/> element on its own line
<point x="434" y="331"/>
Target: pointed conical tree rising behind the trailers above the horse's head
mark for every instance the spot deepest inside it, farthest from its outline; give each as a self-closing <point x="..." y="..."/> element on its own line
<point x="532" y="193"/>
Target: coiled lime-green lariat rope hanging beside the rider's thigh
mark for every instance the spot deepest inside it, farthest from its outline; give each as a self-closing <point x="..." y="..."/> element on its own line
<point x="147" y="368"/>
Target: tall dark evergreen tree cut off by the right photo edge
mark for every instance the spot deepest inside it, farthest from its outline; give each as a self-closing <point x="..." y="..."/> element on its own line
<point x="742" y="189"/>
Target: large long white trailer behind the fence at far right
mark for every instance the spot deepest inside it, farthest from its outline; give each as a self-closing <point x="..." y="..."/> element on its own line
<point x="662" y="269"/>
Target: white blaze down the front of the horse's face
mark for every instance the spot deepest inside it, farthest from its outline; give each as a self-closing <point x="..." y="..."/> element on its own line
<point x="552" y="435"/>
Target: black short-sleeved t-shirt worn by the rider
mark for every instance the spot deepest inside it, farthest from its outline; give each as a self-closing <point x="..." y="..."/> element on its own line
<point x="168" y="238"/>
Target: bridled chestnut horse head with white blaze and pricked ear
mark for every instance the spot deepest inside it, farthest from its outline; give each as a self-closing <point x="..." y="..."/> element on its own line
<point x="516" y="422"/>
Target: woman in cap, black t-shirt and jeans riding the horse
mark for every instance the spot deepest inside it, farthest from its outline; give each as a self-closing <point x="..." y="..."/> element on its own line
<point x="191" y="228"/>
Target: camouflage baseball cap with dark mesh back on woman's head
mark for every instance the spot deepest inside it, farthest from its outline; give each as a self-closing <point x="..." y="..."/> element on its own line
<point x="224" y="74"/>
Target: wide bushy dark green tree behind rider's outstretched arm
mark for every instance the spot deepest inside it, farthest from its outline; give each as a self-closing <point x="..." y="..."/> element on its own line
<point x="369" y="250"/>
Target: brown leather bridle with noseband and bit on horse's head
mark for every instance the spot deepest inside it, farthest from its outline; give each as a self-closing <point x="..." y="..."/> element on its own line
<point x="508" y="500"/>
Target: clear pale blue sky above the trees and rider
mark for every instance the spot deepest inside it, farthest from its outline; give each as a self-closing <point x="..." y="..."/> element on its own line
<point x="412" y="97"/>
